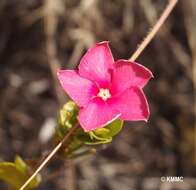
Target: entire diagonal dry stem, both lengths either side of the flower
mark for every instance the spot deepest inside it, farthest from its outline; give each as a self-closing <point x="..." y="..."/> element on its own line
<point x="139" y="50"/>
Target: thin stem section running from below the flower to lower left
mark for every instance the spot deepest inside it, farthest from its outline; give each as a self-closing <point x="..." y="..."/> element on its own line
<point x="49" y="157"/>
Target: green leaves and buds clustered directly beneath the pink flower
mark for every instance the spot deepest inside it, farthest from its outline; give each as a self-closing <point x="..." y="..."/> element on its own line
<point x="78" y="144"/>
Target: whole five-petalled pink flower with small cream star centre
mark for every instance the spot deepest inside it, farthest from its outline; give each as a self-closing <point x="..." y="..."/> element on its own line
<point x="105" y="89"/>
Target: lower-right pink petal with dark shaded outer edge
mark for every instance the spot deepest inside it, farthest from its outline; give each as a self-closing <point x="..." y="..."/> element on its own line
<point x="132" y="105"/>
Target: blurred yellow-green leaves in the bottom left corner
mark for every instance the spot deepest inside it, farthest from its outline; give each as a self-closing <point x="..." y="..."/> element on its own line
<point x="16" y="173"/>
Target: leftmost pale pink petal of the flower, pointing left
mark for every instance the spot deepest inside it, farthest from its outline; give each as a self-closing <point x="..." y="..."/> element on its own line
<point x="81" y="90"/>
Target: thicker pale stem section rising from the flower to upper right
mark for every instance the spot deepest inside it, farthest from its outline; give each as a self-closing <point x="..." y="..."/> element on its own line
<point x="154" y="30"/>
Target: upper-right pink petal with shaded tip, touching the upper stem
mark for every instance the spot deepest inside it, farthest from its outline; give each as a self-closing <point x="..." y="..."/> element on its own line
<point x="127" y="74"/>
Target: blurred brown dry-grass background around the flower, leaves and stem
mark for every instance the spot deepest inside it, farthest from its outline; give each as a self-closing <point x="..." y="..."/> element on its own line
<point x="36" y="37"/>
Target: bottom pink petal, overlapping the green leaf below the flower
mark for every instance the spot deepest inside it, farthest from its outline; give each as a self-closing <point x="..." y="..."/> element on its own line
<point x="96" y="115"/>
